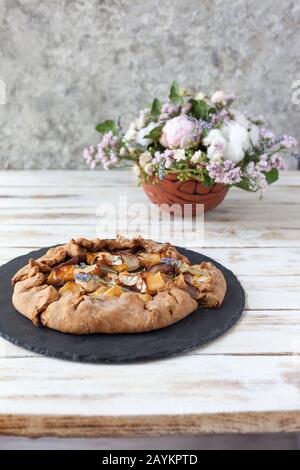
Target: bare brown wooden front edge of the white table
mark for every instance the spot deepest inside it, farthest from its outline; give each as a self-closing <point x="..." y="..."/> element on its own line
<point x="137" y="426"/>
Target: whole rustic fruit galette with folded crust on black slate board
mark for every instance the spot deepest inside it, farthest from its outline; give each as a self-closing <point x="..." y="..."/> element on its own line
<point x="114" y="286"/>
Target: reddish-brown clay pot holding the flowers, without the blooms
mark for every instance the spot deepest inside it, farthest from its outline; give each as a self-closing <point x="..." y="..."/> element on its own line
<point x="171" y="191"/>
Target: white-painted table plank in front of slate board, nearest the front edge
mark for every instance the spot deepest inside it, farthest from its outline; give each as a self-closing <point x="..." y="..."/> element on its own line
<point x="183" y="385"/>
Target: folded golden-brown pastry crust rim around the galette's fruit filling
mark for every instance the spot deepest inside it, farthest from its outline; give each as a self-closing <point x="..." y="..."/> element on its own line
<point x="81" y="313"/>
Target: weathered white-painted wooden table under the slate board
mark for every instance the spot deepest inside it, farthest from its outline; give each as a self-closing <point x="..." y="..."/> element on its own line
<point x="247" y="381"/>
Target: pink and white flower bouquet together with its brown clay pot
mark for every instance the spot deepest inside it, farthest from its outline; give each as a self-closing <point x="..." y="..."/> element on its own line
<point x="192" y="148"/>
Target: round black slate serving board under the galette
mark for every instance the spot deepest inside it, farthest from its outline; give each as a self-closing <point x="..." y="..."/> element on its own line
<point x="195" y="330"/>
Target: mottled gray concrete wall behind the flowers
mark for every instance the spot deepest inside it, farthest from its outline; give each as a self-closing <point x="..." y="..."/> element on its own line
<point x="69" y="63"/>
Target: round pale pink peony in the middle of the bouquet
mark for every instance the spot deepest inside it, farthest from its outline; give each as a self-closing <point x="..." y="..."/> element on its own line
<point x="181" y="132"/>
